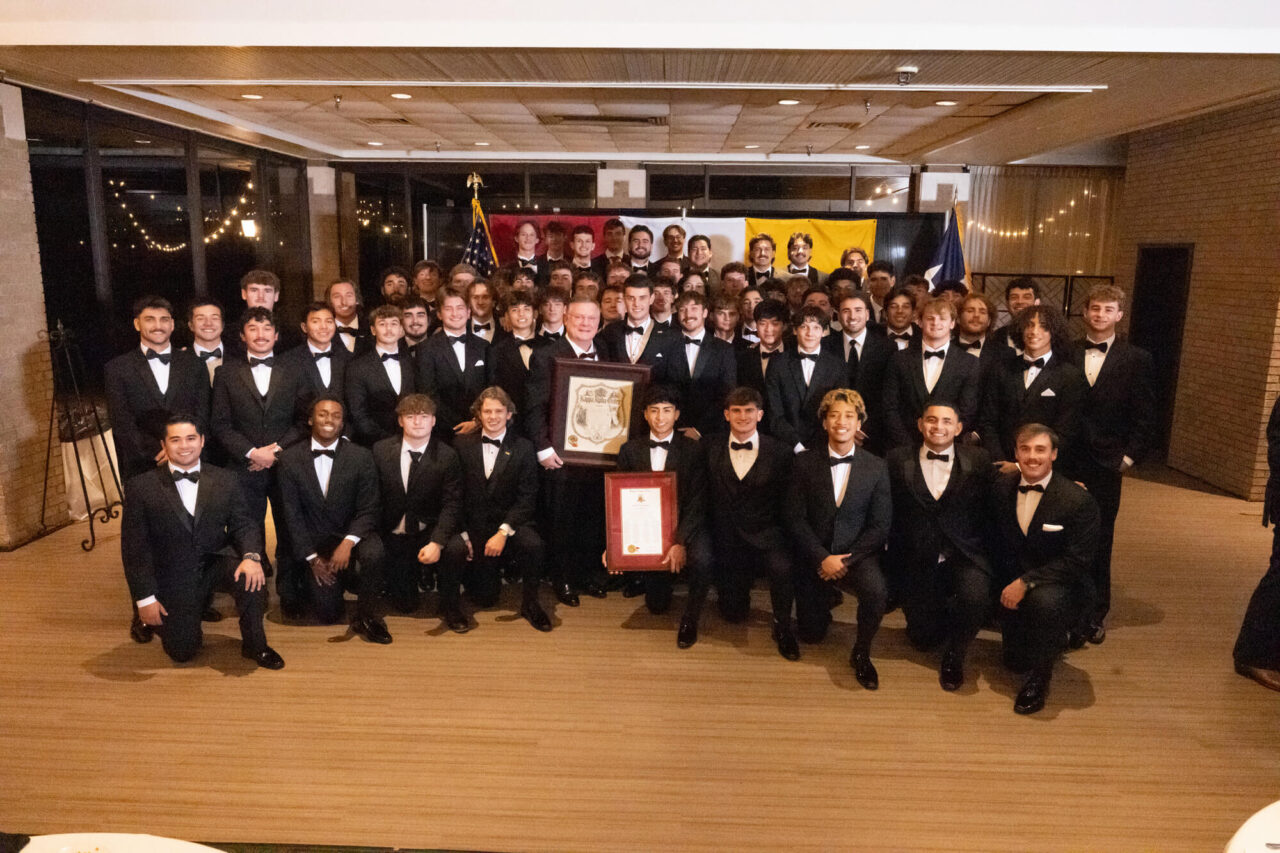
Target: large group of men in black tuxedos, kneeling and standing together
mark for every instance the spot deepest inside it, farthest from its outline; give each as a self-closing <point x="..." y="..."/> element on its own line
<point x="915" y="471"/>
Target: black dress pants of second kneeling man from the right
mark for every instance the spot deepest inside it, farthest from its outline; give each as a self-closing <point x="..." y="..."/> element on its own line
<point x="948" y="601"/>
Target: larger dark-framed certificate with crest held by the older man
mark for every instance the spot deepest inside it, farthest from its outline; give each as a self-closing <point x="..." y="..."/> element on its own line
<point x="593" y="404"/>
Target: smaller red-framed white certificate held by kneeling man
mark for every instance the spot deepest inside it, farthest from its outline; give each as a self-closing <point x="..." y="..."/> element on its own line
<point x="641" y="519"/>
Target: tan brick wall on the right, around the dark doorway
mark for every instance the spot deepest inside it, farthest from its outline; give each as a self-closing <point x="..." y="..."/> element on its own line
<point x="1215" y="183"/>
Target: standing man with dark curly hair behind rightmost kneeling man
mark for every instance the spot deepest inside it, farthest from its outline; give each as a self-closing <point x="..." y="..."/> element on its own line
<point x="1040" y="387"/>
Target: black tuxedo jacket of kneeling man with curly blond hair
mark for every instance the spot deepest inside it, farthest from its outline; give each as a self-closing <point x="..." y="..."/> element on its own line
<point x="860" y="527"/>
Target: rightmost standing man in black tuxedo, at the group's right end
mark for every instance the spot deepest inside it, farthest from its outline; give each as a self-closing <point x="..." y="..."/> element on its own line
<point x="1118" y="430"/>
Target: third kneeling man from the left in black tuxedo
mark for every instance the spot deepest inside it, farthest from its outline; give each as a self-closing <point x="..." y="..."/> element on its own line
<point x="422" y="490"/>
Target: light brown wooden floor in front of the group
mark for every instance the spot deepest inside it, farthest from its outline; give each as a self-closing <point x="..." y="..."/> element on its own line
<point x="605" y="737"/>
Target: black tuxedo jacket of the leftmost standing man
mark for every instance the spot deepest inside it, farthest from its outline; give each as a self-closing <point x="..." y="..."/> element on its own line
<point x="139" y="410"/>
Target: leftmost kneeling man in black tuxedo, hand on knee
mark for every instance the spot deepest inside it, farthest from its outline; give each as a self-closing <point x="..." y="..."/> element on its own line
<point x="182" y="524"/>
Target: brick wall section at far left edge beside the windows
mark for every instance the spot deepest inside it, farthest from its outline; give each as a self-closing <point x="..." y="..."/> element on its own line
<point x="26" y="376"/>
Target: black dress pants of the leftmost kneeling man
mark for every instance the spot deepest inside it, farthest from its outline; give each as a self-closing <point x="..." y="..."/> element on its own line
<point x="184" y="597"/>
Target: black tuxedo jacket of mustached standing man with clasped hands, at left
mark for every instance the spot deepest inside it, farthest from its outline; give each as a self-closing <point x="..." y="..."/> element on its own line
<point x="243" y="419"/>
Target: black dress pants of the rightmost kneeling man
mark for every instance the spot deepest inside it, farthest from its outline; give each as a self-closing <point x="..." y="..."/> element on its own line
<point x="1035" y="635"/>
